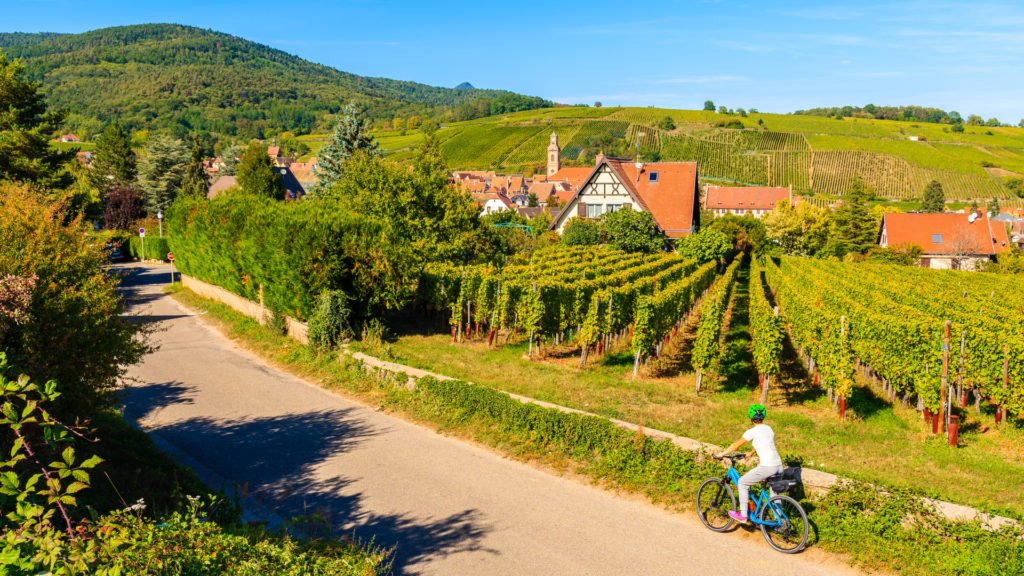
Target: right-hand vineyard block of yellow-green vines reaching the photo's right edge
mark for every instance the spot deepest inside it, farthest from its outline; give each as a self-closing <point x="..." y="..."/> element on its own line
<point x="891" y="322"/>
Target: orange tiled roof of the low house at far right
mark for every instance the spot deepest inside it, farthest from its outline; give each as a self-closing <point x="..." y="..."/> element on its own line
<point x="949" y="233"/>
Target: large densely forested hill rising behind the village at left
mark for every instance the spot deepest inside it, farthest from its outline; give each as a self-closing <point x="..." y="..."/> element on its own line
<point x="189" y="79"/>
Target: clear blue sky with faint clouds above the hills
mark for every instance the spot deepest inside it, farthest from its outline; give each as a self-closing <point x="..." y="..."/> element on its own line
<point x="777" y="57"/>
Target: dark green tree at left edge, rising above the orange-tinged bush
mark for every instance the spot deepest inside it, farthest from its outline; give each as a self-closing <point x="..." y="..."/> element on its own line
<point x="26" y="155"/>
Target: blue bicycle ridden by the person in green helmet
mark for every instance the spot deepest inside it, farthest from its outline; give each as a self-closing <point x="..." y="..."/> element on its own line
<point x="783" y="520"/>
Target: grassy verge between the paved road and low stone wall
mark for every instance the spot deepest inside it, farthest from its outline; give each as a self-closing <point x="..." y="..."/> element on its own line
<point x="890" y="530"/>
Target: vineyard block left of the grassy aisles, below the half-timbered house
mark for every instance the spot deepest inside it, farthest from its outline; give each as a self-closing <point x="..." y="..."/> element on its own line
<point x="595" y="297"/>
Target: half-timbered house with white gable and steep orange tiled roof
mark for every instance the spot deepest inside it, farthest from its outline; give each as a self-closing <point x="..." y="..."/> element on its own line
<point x="667" y="190"/>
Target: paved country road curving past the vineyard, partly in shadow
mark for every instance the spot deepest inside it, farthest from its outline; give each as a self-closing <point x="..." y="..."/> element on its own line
<point x="450" y="508"/>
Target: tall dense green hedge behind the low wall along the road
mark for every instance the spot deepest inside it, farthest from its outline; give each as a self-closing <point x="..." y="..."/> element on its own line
<point x="295" y="251"/>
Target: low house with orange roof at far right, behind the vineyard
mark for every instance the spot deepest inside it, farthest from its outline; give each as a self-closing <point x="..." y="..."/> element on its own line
<point x="950" y="241"/>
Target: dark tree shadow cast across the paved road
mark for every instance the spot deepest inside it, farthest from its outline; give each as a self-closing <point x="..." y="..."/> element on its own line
<point x="280" y="462"/>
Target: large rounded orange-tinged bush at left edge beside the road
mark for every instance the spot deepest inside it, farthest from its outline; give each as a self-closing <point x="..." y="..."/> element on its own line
<point x="75" y="333"/>
